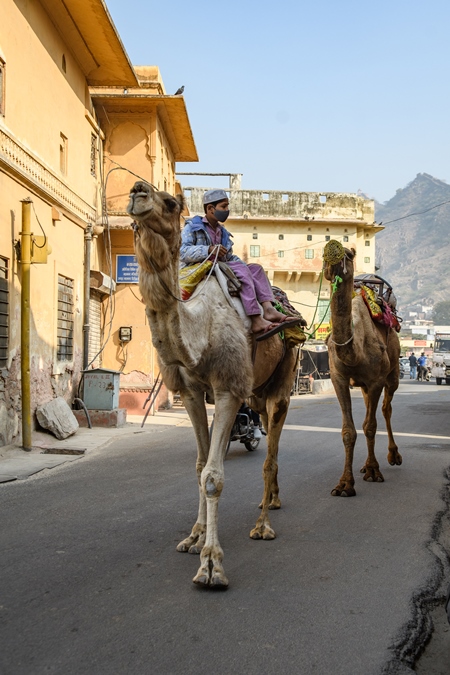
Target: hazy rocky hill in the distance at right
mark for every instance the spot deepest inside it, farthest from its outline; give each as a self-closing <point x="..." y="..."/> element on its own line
<point x="413" y="251"/>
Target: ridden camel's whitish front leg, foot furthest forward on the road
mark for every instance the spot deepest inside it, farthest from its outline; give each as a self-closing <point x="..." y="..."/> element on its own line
<point x="210" y="572"/>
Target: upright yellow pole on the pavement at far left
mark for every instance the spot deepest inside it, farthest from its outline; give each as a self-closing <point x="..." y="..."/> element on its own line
<point x="25" y="261"/>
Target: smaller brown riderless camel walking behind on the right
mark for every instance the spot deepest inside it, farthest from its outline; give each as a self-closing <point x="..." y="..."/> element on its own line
<point x="364" y="354"/>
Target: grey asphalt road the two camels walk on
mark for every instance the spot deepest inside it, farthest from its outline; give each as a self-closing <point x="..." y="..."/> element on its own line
<point x="91" y="581"/>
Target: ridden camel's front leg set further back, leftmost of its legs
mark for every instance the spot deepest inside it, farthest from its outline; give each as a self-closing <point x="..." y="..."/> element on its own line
<point x="195" y="405"/>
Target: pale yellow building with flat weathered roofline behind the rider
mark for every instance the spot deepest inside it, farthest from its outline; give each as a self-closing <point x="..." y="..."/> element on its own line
<point x="286" y="232"/>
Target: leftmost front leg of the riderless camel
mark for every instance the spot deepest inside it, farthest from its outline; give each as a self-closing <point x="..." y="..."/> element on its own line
<point x="345" y="487"/>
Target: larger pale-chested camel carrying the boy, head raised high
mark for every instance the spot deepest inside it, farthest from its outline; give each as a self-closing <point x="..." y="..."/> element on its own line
<point x="204" y="348"/>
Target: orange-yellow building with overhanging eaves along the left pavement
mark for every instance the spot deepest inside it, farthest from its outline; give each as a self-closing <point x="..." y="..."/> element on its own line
<point x="62" y="113"/>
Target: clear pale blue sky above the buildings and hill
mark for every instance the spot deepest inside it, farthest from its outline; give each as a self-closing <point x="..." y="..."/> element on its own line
<point x="307" y="96"/>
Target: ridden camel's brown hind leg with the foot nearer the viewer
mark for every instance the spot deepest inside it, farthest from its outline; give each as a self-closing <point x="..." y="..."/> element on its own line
<point x="273" y="421"/>
